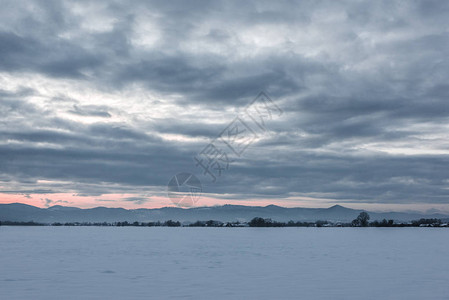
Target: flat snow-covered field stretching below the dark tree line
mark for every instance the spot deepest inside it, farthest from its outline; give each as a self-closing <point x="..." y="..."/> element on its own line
<point x="223" y="263"/>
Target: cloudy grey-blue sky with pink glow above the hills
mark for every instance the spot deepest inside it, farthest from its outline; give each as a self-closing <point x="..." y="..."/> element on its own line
<point x="103" y="102"/>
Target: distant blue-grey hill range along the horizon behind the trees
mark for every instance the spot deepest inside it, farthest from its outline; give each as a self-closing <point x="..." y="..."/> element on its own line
<point x="226" y="213"/>
